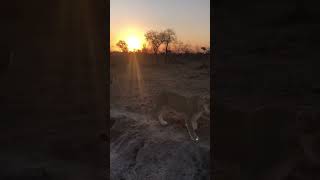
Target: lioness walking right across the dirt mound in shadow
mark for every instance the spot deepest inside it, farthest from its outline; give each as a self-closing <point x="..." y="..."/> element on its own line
<point x="193" y="107"/>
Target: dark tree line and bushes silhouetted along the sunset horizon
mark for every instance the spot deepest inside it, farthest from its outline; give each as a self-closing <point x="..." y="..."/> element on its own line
<point x="162" y="47"/>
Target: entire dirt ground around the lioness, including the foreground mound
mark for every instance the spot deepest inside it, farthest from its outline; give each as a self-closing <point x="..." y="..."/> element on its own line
<point x="140" y="147"/>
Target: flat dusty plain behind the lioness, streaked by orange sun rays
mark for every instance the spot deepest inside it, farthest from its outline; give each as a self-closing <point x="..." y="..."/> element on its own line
<point x="137" y="81"/>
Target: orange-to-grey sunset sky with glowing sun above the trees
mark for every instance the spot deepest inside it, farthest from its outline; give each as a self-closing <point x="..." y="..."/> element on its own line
<point x="130" y="19"/>
